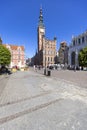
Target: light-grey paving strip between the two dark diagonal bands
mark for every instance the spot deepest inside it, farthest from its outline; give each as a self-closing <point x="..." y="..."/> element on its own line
<point x="31" y="103"/>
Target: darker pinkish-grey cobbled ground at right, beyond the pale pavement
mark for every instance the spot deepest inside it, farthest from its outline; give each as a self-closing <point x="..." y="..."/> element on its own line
<point x="76" y="77"/>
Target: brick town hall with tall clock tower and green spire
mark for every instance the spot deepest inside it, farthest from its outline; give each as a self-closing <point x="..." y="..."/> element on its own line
<point x="46" y="48"/>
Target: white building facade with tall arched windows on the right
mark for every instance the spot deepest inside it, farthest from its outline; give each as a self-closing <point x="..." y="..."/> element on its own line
<point x="78" y="43"/>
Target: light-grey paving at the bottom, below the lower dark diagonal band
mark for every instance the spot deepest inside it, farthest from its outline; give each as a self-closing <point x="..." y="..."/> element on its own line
<point x="62" y="115"/>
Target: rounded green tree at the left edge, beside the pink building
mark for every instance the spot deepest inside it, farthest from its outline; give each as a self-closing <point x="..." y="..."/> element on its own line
<point x="5" y="56"/>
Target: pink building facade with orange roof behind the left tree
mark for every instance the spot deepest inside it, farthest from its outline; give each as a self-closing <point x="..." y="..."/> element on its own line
<point x="17" y="55"/>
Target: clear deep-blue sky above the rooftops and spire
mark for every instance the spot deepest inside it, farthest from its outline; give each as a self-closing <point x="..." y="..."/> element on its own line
<point x="62" y="19"/>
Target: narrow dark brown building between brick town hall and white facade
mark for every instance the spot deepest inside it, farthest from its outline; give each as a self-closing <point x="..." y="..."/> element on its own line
<point x="63" y="53"/>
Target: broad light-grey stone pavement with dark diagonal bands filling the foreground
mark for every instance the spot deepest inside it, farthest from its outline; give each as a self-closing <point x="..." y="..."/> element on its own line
<point x="32" y="101"/>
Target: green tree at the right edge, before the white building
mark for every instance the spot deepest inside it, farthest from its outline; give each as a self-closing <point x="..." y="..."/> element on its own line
<point x="83" y="57"/>
